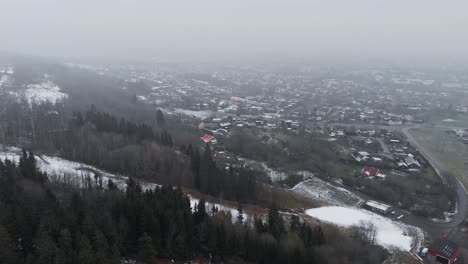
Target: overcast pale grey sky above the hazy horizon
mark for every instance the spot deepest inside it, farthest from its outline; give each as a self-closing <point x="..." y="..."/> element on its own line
<point x="108" y="28"/>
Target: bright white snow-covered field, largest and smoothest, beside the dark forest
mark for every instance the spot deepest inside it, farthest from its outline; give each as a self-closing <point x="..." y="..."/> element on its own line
<point x="390" y="234"/>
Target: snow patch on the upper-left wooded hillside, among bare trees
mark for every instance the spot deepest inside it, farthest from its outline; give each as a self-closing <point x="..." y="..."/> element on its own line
<point x="45" y="92"/>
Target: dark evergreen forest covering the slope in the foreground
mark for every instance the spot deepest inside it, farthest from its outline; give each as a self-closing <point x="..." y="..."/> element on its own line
<point x="43" y="222"/>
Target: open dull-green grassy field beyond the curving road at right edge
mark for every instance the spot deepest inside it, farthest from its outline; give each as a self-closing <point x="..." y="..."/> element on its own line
<point x="449" y="151"/>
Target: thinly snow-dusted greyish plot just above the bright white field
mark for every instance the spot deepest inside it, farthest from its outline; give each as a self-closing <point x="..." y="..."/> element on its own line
<point x="320" y="190"/>
